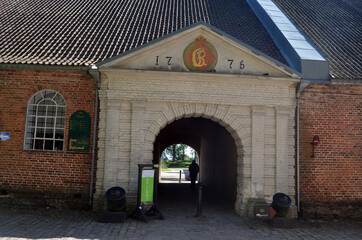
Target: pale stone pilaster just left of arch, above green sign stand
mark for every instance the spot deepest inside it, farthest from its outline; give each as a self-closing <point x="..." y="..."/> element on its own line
<point x="137" y="146"/>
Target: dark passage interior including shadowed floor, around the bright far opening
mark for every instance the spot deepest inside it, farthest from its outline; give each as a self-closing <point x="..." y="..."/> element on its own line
<point x="217" y="153"/>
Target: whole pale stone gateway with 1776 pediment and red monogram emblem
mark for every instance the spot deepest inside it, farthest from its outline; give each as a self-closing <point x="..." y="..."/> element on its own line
<point x="248" y="93"/>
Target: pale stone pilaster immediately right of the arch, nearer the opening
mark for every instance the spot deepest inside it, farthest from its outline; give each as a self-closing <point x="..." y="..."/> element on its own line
<point x="257" y="152"/>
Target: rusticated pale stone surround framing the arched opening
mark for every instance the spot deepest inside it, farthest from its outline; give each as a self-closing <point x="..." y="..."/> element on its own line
<point x="219" y="114"/>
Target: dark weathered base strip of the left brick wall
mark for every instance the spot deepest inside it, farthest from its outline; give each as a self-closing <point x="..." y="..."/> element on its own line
<point x="47" y="199"/>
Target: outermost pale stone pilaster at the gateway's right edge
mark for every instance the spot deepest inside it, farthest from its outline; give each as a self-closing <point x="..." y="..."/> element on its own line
<point x="282" y="163"/>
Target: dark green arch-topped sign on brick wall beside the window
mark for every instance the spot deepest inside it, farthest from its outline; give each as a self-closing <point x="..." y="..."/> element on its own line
<point x="79" y="132"/>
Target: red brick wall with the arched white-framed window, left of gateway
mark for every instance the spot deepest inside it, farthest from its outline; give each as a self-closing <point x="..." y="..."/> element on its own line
<point x="59" y="179"/>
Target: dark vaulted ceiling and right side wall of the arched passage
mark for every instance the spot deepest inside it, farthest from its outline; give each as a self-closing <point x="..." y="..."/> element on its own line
<point x="216" y="149"/>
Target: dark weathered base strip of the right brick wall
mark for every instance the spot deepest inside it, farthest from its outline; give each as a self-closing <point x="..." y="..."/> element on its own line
<point x="332" y="210"/>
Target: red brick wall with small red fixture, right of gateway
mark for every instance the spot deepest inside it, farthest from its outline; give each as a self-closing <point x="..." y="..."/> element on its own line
<point x="331" y="181"/>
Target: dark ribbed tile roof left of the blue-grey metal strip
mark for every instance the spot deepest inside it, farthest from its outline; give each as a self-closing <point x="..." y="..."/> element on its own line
<point x="83" y="32"/>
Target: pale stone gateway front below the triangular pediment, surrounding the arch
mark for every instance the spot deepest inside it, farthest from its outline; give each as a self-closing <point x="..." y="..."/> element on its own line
<point x="259" y="117"/>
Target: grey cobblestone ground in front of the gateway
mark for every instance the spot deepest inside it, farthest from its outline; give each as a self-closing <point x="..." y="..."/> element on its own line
<point x="36" y="223"/>
